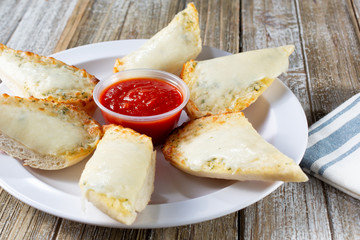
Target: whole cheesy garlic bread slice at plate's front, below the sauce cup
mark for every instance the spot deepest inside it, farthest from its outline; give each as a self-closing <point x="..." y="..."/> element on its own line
<point x="119" y="177"/>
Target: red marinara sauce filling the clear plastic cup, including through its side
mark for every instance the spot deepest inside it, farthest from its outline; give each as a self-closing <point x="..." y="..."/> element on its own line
<point x="143" y="97"/>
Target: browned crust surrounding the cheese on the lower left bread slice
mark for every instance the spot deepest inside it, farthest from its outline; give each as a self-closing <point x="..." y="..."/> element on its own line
<point x="66" y="113"/>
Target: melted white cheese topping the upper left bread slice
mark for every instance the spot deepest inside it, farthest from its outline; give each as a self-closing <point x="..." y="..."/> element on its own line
<point x="33" y="78"/>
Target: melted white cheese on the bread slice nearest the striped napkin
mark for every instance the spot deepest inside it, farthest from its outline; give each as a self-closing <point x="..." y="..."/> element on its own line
<point x="230" y="144"/>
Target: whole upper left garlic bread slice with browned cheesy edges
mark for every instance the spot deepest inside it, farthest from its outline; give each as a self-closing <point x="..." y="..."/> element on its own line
<point x="30" y="75"/>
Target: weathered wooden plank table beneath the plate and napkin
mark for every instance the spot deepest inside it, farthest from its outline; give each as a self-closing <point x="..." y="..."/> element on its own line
<point x="324" y="72"/>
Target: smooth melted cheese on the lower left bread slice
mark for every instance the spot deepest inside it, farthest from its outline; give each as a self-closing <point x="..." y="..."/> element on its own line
<point x="39" y="131"/>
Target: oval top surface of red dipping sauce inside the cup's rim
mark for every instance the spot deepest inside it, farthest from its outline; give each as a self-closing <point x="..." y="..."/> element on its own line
<point x="141" y="97"/>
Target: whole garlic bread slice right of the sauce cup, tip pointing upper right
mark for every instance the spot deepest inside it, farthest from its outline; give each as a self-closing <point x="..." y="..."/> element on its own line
<point x="231" y="83"/>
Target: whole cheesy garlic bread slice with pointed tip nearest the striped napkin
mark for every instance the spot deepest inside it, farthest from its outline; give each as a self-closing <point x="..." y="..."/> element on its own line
<point x="226" y="146"/>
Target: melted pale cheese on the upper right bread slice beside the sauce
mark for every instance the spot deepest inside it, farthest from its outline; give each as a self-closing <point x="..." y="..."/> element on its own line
<point x="219" y="80"/>
